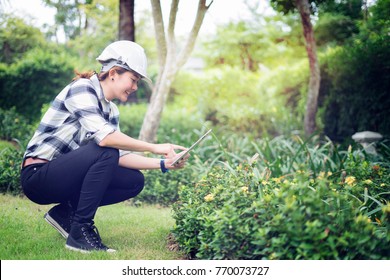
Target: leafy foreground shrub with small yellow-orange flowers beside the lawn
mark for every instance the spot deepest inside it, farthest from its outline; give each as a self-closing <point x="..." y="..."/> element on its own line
<point x="232" y="215"/>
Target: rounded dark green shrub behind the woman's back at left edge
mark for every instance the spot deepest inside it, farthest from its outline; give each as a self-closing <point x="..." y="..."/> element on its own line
<point x="33" y="81"/>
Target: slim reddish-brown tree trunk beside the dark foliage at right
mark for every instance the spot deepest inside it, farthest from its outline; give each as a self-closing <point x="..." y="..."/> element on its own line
<point x="314" y="82"/>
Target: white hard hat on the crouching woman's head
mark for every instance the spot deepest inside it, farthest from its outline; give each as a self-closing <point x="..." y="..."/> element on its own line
<point x="126" y="54"/>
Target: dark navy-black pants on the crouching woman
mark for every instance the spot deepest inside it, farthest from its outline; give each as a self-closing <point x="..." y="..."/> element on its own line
<point x="88" y="177"/>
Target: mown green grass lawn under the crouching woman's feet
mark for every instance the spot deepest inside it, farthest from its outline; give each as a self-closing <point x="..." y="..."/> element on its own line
<point x="137" y="233"/>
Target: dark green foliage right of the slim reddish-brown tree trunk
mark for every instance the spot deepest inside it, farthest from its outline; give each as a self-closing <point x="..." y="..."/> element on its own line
<point x="356" y="89"/>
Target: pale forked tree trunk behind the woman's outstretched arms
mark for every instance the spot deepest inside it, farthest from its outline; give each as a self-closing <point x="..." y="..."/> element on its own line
<point x="169" y="62"/>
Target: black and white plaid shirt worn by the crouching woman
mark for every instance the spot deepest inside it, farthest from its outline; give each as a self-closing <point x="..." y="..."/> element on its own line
<point x="80" y="113"/>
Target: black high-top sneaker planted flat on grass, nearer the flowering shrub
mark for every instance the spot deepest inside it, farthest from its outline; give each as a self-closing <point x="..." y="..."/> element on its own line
<point x="85" y="238"/>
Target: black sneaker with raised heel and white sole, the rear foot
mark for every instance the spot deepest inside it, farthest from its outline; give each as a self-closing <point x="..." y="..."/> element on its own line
<point x="60" y="217"/>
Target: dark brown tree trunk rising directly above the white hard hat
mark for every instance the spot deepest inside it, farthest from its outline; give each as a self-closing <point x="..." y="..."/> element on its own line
<point x="126" y="20"/>
